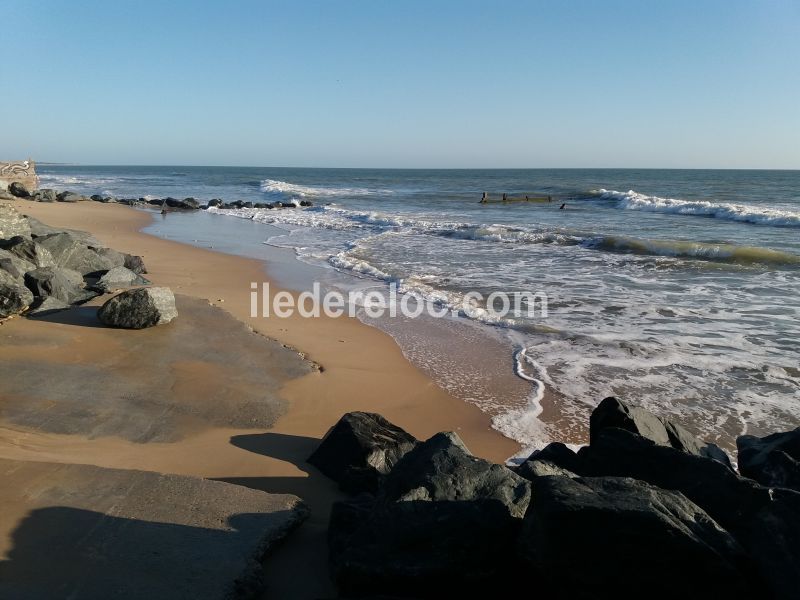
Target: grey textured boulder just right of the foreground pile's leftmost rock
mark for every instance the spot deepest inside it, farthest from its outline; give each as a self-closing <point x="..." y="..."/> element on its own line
<point x="442" y="468"/>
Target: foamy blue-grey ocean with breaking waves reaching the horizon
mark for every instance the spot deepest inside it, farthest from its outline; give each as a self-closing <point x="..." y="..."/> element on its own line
<point x="674" y="289"/>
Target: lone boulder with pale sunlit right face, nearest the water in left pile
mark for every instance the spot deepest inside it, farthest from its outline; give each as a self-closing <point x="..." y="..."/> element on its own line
<point x="139" y="308"/>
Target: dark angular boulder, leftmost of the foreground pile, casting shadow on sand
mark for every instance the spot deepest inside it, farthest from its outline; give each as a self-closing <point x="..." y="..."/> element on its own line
<point x="360" y="450"/>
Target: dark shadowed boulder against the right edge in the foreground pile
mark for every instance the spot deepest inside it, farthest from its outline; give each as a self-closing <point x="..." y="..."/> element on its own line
<point x="771" y="460"/>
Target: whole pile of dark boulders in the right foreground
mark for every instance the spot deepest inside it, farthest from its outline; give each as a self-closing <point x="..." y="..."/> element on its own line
<point x="645" y="510"/>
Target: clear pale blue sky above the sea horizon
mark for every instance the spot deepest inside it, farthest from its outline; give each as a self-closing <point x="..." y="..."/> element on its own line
<point x="374" y="83"/>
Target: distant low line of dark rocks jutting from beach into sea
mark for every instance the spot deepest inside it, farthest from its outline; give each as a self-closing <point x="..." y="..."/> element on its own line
<point x="18" y="191"/>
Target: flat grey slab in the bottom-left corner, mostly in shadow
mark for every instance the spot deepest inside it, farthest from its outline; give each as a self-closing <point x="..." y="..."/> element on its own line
<point x="86" y="533"/>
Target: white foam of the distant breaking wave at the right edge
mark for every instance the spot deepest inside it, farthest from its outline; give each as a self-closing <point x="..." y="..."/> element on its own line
<point x="632" y="200"/>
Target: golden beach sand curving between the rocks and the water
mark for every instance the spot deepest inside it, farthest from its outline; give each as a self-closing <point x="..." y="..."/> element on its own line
<point x="360" y="368"/>
